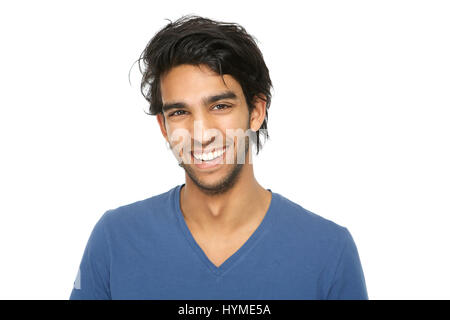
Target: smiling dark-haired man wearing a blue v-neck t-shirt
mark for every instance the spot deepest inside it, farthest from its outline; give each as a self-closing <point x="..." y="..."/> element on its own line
<point x="220" y="235"/>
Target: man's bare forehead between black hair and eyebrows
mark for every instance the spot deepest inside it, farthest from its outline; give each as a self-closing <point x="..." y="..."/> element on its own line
<point x="191" y="83"/>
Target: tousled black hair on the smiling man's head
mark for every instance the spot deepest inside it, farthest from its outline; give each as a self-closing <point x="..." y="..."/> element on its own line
<point x="226" y="48"/>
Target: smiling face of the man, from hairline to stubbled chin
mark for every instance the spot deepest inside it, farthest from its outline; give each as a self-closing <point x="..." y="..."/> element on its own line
<point x="188" y="107"/>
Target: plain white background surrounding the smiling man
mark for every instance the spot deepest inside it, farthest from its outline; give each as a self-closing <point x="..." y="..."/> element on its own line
<point x="361" y="87"/>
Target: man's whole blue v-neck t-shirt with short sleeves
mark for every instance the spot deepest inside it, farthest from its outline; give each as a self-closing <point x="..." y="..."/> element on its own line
<point x="145" y="250"/>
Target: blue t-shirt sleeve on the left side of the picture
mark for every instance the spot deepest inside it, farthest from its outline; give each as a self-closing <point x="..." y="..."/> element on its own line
<point x="92" y="280"/>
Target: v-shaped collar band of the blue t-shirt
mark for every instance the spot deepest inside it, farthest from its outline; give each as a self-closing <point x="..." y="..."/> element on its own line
<point x="241" y="252"/>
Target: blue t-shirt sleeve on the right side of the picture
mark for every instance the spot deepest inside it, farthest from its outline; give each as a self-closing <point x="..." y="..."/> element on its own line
<point x="348" y="281"/>
